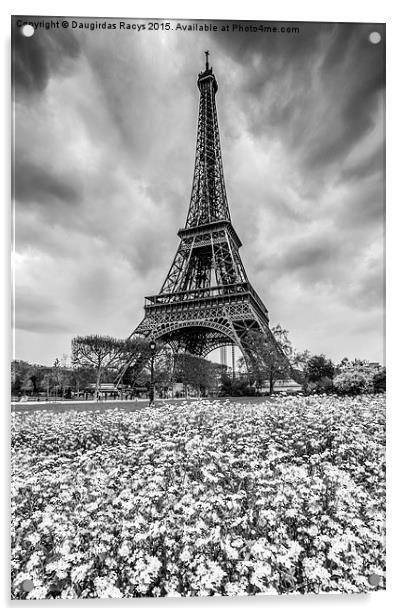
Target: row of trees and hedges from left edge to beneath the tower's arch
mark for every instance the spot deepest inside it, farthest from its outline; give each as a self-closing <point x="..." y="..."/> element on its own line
<point x="96" y="360"/>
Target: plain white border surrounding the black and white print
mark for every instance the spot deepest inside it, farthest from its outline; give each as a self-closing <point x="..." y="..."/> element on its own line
<point x="297" y="10"/>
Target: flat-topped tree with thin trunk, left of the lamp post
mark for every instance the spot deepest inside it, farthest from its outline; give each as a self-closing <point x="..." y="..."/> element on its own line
<point x="98" y="352"/>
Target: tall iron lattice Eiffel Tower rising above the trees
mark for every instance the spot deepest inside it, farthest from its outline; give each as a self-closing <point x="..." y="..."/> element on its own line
<point x="206" y="300"/>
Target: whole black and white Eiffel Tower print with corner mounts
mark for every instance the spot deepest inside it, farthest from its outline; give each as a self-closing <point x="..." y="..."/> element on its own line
<point x="198" y="379"/>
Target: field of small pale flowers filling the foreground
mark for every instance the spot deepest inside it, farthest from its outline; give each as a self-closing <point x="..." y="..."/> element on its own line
<point x="199" y="499"/>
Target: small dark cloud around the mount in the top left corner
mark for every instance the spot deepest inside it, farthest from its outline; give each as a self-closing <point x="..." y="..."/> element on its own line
<point x="36" y="58"/>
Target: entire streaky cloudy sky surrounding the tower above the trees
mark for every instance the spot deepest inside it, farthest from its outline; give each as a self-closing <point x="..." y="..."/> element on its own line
<point x="105" y="127"/>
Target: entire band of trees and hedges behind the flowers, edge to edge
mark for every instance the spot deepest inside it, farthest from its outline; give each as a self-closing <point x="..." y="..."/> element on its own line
<point x="101" y="359"/>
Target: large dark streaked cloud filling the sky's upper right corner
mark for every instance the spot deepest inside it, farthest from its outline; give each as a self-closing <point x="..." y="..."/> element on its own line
<point x="332" y="63"/>
